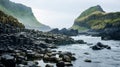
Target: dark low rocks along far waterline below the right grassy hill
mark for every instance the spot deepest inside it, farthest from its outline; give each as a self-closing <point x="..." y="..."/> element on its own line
<point x="106" y="34"/>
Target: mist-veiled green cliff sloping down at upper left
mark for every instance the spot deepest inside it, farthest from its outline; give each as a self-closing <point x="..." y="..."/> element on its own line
<point x="22" y="13"/>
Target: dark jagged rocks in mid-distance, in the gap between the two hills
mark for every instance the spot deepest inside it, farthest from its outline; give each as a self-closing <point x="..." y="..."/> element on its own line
<point x="64" y="31"/>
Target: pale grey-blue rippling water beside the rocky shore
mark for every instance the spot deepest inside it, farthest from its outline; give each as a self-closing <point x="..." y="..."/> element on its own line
<point x="99" y="58"/>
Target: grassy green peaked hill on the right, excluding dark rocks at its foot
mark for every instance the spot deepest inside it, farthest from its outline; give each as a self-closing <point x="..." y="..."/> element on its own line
<point x="96" y="20"/>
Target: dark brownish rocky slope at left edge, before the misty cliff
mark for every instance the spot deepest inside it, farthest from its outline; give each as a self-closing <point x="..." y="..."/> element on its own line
<point x="9" y="23"/>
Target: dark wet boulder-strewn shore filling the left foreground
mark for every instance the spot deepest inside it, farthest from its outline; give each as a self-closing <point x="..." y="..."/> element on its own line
<point x="21" y="49"/>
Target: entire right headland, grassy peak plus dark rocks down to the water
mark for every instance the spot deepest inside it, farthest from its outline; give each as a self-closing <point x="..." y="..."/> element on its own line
<point x="96" y="20"/>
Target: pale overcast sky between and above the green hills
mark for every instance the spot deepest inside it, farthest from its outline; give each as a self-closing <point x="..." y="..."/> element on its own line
<point x="62" y="13"/>
